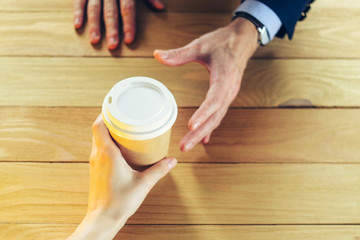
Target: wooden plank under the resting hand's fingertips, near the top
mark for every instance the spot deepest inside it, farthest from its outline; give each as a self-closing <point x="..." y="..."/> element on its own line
<point x="52" y="34"/>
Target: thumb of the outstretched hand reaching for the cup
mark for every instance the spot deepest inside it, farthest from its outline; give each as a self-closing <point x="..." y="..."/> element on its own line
<point x="177" y="57"/>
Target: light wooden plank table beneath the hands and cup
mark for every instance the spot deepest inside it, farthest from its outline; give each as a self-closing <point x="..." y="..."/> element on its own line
<point x="284" y="164"/>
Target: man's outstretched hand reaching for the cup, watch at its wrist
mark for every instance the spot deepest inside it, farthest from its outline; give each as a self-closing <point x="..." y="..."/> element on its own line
<point x="225" y="53"/>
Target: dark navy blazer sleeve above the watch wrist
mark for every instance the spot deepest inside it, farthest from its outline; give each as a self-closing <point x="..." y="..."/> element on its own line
<point x="289" y="12"/>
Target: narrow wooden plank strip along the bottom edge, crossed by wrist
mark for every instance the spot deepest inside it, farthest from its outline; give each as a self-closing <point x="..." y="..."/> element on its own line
<point x="198" y="232"/>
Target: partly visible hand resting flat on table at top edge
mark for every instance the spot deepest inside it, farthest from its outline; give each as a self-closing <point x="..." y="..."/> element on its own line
<point x="111" y="18"/>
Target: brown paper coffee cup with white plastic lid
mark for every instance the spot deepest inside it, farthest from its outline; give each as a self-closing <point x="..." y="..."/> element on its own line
<point x="139" y="113"/>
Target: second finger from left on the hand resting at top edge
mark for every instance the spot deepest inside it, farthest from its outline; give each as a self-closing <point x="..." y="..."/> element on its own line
<point x="94" y="8"/>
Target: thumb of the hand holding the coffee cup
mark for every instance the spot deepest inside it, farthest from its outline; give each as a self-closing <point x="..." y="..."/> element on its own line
<point x="159" y="170"/>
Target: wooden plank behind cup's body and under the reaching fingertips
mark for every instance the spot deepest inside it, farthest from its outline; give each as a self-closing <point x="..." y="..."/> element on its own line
<point x="246" y="135"/>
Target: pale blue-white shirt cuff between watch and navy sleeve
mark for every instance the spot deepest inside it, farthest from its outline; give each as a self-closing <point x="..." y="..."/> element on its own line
<point x="262" y="13"/>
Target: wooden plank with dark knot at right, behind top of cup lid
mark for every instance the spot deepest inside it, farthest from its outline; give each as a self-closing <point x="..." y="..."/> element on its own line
<point x="267" y="83"/>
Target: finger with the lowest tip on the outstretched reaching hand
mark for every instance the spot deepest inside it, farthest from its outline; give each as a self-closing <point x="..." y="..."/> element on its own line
<point x="194" y="137"/>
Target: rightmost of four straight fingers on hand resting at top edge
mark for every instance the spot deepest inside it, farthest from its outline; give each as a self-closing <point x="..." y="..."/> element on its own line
<point x="128" y="16"/>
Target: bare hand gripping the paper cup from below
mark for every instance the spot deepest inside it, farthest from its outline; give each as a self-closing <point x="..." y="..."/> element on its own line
<point x="116" y="190"/>
